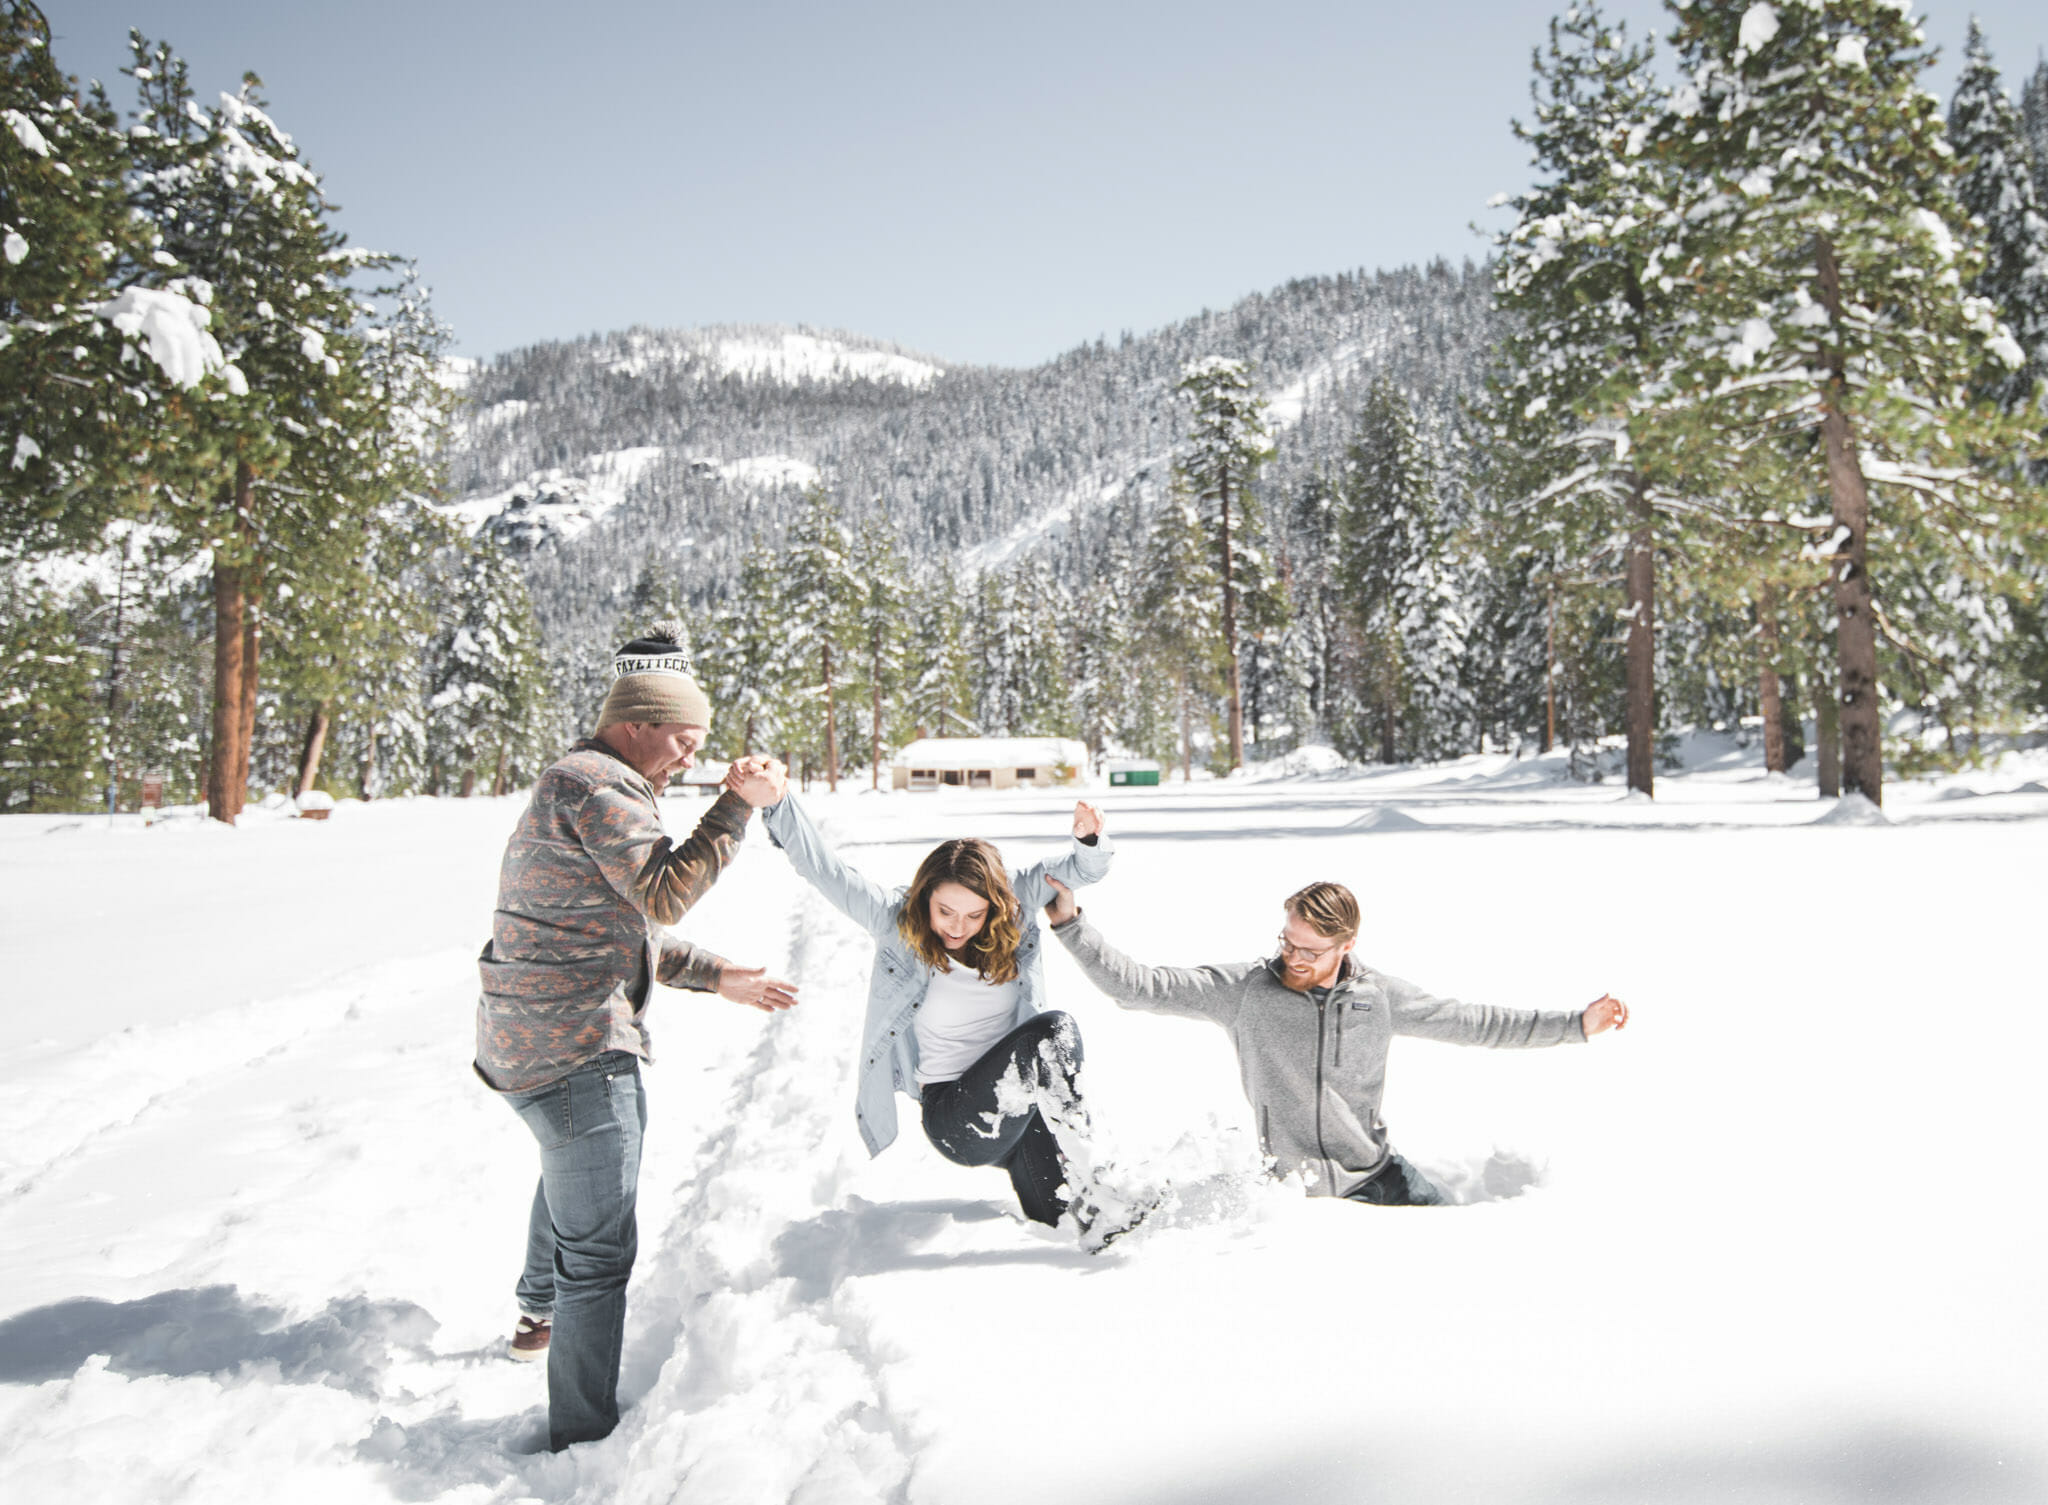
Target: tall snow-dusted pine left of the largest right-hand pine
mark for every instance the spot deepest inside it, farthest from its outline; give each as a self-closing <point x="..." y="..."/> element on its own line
<point x="1584" y="269"/>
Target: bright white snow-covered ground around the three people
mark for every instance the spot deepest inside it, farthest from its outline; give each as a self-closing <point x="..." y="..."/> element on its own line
<point x="1777" y="1242"/>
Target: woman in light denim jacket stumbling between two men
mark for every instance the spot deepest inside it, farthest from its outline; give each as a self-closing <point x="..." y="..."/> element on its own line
<point x="955" y="1006"/>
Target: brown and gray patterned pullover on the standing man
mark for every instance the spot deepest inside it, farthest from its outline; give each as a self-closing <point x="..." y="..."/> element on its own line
<point x="589" y="884"/>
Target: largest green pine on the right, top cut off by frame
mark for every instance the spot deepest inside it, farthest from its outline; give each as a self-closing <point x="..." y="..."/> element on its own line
<point x="1830" y="279"/>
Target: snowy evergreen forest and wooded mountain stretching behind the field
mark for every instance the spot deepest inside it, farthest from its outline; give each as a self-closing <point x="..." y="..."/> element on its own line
<point x="1738" y="425"/>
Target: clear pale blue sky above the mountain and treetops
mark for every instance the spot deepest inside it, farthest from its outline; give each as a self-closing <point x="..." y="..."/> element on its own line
<point x="974" y="181"/>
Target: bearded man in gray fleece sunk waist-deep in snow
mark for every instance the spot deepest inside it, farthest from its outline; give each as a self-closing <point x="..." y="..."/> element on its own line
<point x="1312" y="1029"/>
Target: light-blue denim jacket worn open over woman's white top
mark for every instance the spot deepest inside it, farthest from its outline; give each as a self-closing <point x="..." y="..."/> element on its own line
<point x="900" y="980"/>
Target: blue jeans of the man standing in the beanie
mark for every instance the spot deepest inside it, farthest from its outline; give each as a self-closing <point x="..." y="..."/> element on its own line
<point x="583" y="1236"/>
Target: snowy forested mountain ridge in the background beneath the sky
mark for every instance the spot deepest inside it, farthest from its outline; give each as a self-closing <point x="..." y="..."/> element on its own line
<point x="589" y="456"/>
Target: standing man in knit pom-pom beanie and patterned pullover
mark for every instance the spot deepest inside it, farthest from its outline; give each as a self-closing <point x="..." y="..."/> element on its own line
<point x="579" y="939"/>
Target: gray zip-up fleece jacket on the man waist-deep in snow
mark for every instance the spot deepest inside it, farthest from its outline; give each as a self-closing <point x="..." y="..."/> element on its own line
<point x="1314" y="1064"/>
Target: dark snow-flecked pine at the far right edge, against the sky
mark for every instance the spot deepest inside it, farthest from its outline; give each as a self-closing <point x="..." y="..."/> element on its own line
<point x="1998" y="189"/>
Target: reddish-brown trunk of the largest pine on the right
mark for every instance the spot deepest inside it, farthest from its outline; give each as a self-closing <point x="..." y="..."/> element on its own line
<point x="1857" y="626"/>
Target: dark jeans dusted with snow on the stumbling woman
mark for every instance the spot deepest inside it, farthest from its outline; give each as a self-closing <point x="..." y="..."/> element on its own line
<point x="966" y="1123"/>
